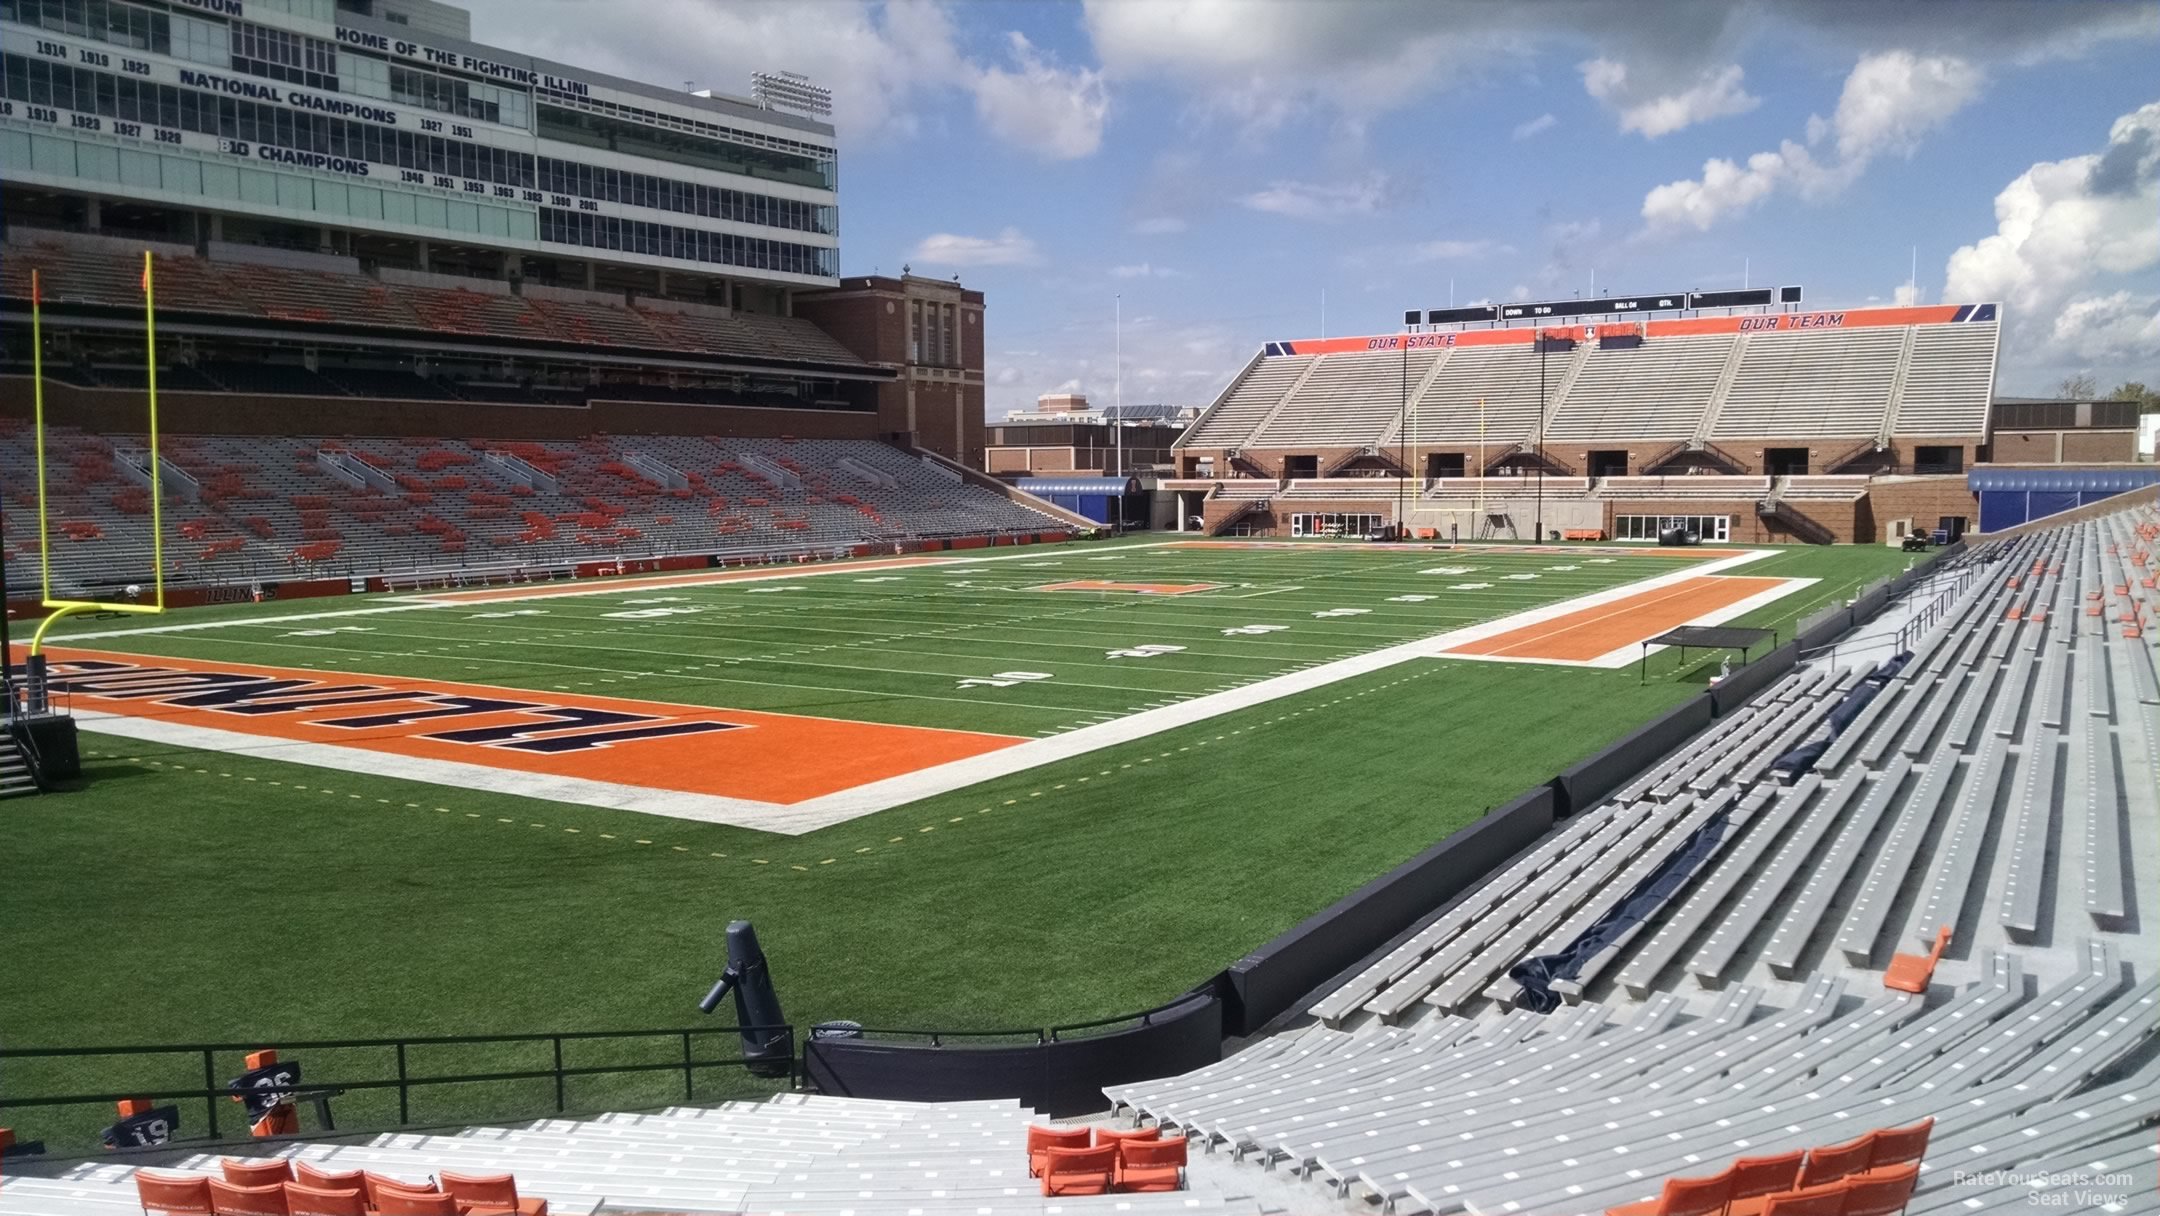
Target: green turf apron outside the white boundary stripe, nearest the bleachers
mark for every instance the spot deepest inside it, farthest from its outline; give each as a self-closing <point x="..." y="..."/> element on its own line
<point x="206" y="897"/>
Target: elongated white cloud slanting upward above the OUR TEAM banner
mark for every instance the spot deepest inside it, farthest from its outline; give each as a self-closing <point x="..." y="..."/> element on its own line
<point x="1891" y="100"/>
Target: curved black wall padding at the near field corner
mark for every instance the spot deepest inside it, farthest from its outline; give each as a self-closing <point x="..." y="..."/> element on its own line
<point x="1057" y="1077"/>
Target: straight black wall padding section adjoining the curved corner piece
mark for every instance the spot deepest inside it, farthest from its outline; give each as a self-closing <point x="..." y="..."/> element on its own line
<point x="1275" y="977"/>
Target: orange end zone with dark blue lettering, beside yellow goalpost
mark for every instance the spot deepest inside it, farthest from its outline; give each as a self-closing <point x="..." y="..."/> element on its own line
<point x="725" y="753"/>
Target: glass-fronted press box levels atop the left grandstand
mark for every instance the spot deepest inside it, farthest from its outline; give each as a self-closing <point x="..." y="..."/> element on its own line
<point x="388" y="146"/>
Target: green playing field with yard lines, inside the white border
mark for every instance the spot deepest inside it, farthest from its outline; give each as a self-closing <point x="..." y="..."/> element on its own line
<point x="897" y="645"/>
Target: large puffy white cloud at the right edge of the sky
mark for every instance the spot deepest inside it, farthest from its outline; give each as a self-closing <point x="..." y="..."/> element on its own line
<point x="2064" y="230"/>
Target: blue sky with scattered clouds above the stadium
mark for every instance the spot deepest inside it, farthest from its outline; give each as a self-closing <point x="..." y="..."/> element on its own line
<point x="1221" y="165"/>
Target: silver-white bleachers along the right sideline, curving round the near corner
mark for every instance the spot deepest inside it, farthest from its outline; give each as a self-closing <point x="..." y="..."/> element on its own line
<point x="1420" y="1085"/>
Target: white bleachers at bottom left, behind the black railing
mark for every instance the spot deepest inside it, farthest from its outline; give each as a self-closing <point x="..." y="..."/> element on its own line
<point x="792" y="1157"/>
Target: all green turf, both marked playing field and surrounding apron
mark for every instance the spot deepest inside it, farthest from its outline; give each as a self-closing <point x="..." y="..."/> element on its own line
<point x="189" y="895"/>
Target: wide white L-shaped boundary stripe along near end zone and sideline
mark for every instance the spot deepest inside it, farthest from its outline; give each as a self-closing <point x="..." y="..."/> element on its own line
<point x="889" y="794"/>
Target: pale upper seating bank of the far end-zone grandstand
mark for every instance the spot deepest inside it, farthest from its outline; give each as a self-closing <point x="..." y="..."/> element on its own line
<point x="1865" y="383"/>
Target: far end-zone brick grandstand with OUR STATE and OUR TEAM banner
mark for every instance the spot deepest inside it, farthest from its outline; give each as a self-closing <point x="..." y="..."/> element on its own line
<point x="1753" y="420"/>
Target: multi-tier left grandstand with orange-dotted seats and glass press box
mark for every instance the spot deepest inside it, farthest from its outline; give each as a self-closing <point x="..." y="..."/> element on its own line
<point x="409" y="319"/>
